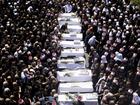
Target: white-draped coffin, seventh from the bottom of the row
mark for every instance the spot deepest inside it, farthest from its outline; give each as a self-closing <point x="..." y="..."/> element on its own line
<point x="72" y="36"/>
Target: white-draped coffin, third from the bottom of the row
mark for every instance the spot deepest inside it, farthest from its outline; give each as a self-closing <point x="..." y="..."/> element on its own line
<point x="74" y="75"/>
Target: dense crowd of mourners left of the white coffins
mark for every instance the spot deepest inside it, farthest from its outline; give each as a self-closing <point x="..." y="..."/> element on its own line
<point x="29" y="51"/>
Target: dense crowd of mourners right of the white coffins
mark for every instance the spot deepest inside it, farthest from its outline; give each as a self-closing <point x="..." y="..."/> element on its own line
<point x="111" y="32"/>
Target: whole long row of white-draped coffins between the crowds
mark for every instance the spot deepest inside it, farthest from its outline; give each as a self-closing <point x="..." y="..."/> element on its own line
<point x="75" y="79"/>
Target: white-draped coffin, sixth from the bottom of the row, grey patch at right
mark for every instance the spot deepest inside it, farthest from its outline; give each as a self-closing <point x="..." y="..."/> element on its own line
<point x="72" y="44"/>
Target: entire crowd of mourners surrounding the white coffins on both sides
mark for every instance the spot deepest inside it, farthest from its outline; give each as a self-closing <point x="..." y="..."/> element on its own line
<point x="29" y="35"/>
